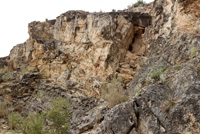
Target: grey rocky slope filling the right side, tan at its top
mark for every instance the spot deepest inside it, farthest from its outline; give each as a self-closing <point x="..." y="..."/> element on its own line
<point x="167" y="86"/>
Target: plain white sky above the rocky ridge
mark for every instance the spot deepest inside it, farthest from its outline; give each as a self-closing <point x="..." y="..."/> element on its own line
<point x="16" y="14"/>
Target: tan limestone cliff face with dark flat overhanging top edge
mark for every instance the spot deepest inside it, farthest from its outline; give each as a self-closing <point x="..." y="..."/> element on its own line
<point x="86" y="46"/>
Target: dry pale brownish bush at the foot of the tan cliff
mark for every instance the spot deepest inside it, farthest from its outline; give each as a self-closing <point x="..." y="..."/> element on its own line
<point x="114" y="93"/>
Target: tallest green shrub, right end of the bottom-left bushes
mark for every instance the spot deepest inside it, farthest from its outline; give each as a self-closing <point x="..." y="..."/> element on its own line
<point x="59" y="116"/>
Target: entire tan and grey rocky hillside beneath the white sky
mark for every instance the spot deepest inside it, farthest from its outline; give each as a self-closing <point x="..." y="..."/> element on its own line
<point x="152" y="50"/>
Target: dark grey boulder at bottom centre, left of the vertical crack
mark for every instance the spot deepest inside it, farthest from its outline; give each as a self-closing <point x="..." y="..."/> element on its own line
<point x="121" y="119"/>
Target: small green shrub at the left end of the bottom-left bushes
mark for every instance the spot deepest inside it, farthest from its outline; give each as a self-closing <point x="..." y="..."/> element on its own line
<point x="14" y="120"/>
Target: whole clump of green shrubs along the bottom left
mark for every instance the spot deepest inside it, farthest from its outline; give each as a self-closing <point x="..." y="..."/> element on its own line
<point x="58" y="119"/>
